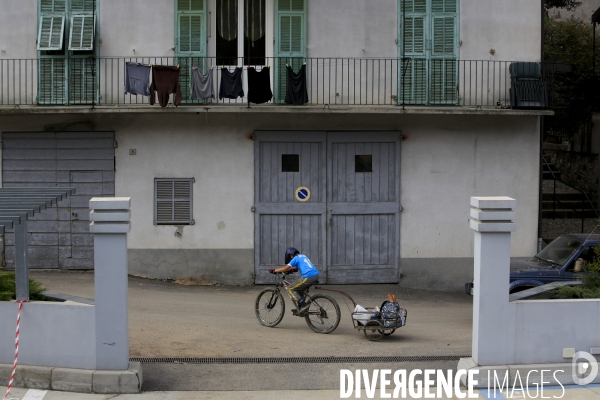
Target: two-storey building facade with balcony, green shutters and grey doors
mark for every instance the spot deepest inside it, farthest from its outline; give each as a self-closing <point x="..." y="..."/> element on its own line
<point x="407" y="117"/>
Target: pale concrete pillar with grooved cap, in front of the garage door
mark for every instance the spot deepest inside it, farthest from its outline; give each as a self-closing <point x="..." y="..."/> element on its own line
<point x="110" y="225"/>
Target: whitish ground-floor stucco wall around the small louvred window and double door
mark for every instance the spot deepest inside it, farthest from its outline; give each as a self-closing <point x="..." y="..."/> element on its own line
<point x="445" y="160"/>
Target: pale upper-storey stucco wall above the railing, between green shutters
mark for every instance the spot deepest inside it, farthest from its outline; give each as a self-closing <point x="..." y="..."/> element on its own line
<point x="336" y="28"/>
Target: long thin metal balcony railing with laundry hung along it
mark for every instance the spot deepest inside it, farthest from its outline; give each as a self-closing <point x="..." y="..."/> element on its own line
<point x="330" y="81"/>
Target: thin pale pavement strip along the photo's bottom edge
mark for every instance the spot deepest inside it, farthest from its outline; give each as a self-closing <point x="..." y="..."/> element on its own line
<point x="591" y="392"/>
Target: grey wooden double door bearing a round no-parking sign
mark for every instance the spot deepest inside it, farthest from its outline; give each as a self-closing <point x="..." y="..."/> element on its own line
<point x="333" y="195"/>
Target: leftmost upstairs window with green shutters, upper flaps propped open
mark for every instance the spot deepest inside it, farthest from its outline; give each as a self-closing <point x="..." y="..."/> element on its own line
<point x="66" y="49"/>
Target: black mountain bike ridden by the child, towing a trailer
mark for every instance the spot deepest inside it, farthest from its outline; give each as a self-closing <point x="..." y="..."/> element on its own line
<point x="322" y="316"/>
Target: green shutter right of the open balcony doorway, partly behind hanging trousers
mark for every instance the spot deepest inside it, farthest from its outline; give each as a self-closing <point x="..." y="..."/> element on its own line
<point x="290" y="41"/>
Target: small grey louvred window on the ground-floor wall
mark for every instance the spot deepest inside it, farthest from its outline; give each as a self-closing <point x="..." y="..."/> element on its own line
<point x="173" y="201"/>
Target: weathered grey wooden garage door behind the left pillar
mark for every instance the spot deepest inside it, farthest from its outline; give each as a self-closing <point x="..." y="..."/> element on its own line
<point x="59" y="237"/>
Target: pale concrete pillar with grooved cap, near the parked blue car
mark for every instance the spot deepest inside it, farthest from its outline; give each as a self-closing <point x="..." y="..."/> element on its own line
<point x="492" y="220"/>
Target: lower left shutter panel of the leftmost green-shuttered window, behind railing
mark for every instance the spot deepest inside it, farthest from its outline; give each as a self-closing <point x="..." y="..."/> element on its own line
<point x="52" y="81"/>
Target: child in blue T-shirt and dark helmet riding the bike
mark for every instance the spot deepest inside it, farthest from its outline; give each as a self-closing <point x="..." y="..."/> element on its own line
<point x="308" y="275"/>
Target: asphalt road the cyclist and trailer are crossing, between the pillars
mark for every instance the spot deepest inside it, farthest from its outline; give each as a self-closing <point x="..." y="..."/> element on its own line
<point x="170" y="320"/>
